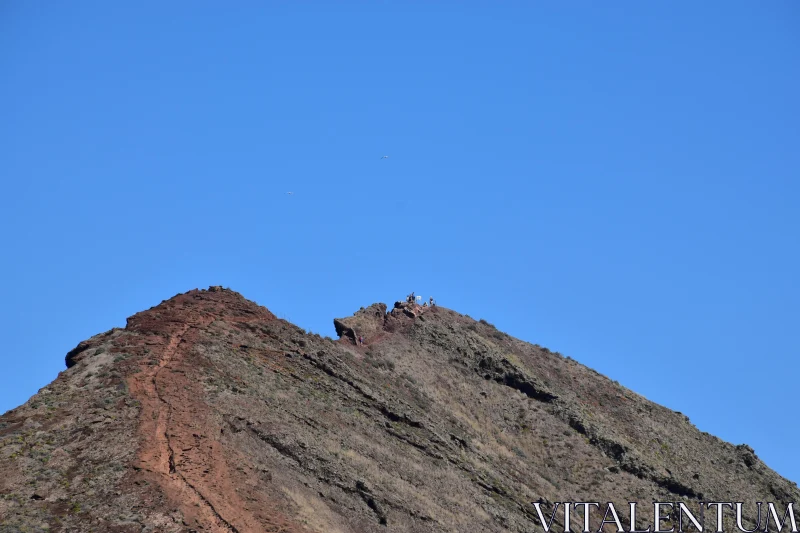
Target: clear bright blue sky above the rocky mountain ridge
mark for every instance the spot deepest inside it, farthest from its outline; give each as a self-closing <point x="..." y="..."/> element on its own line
<point x="619" y="182"/>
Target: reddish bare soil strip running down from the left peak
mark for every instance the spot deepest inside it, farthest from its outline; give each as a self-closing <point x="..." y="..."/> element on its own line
<point x="179" y="447"/>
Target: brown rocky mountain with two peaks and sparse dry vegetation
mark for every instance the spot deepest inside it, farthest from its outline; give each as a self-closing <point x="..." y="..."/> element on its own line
<point x="208" y="413"/>
